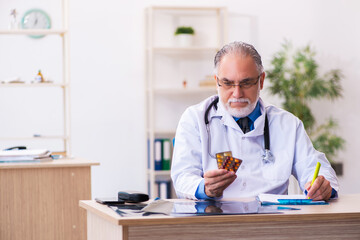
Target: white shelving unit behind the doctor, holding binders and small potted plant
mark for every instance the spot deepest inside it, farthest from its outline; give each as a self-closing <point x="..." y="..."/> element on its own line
<point x="169" y="65"/>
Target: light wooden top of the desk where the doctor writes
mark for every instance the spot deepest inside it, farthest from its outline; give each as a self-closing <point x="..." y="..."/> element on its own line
<point x="345" y="207"/>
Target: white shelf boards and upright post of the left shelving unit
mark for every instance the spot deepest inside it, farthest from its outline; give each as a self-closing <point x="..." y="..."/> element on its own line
<point x="63" y="84"/>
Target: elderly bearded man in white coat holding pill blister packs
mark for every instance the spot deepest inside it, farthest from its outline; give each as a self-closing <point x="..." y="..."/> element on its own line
<point x="234" y="121"/>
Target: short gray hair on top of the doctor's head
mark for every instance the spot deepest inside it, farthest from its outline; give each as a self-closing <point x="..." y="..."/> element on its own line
<point x="240" y="48"/>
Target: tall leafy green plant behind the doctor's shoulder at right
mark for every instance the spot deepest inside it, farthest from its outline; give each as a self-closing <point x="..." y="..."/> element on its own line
<point x="295" y="78"/>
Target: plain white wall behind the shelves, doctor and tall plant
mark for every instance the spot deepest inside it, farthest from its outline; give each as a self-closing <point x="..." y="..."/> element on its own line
<point x="107" y="75"/>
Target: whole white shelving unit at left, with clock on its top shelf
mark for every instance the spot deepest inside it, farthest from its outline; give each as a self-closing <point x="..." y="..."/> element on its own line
<point x="36" y="114"/>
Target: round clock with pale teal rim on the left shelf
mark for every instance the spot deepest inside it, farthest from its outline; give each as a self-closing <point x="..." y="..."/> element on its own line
<point x="36" y="19"/>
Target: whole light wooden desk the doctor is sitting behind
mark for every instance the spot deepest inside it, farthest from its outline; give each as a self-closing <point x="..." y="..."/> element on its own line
<point x="339" y="220"/>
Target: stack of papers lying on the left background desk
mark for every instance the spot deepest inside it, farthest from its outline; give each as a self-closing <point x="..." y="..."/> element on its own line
<point x="26" y="155"/>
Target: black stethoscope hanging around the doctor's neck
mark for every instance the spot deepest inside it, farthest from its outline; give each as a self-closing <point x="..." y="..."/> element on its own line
<point x="267" y="156"/>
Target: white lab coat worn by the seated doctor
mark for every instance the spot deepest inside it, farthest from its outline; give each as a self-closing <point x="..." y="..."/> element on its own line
<point x="293" y="151"/>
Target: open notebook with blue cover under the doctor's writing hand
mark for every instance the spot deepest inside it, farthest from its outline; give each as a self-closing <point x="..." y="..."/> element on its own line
<point x="276" y="199"/>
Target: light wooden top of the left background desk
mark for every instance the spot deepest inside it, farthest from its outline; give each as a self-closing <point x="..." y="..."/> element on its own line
<point x="64" y="162"/>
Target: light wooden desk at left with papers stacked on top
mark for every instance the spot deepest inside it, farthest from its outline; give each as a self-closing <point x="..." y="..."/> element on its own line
<point x="40" y="200"/>
